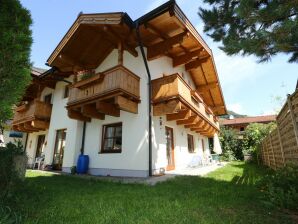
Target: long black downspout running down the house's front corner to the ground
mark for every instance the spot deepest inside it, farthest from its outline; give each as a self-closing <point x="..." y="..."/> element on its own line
<point x="149" y="96"/>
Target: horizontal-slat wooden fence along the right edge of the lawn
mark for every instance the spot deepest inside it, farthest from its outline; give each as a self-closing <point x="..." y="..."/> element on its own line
<point x="281" y="145"/>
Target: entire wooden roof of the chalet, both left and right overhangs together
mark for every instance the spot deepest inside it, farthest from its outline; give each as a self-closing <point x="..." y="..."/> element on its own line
<point x="165" y="31"/>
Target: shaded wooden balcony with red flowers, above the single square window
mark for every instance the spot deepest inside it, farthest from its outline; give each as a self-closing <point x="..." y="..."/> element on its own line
<point x="103" y="94"/>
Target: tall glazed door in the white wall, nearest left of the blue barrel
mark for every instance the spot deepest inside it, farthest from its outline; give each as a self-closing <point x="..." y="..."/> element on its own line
<point x="59" y="149"/>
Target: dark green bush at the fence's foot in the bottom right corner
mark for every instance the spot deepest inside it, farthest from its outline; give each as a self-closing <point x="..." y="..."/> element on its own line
<point x="281" y="187"/>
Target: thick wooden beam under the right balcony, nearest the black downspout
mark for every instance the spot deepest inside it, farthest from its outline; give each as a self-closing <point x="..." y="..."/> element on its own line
<point x="168" y="107"/>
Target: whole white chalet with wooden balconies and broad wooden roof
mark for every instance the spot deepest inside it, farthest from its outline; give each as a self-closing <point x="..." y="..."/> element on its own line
<point x="95" y="98"/>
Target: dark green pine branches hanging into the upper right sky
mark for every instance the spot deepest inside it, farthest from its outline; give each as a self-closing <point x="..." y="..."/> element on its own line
<point x="253" y="27"/>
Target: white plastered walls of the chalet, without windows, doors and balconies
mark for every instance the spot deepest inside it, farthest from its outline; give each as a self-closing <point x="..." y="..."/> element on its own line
<point x="133" y="160"/>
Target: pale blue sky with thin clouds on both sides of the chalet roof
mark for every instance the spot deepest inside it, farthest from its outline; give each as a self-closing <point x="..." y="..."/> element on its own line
<point x="248" y="87"/>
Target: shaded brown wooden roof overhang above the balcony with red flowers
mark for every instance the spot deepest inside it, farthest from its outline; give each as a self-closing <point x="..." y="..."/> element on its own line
<point x="90" y="39"/>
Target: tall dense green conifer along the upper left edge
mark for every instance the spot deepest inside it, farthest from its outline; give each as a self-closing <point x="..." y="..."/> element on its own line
<point x="15" y="47"/>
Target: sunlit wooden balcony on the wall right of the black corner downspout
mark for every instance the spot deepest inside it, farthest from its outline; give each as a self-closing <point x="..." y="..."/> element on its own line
<point x="173" y="97"/>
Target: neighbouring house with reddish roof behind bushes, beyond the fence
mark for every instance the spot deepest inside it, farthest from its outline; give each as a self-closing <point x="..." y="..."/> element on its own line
<point x="241" y="123"/>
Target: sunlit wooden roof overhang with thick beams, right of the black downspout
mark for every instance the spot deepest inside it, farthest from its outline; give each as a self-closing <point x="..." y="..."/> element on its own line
<point x="167" y="31"/>
